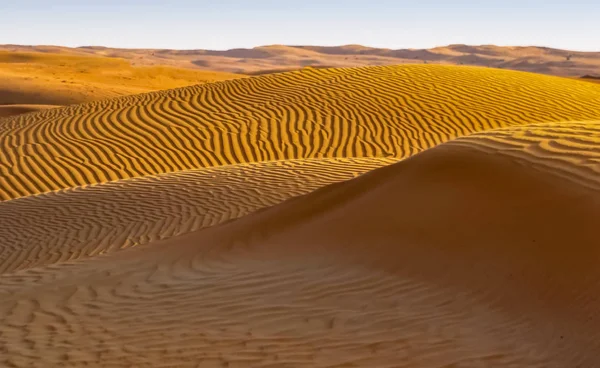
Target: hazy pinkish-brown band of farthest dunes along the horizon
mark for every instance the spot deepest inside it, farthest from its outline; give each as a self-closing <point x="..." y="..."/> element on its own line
<point x="278" y="58"/>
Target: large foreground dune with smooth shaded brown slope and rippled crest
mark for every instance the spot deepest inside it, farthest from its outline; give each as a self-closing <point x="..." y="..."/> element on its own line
<point x="476" y="253"/>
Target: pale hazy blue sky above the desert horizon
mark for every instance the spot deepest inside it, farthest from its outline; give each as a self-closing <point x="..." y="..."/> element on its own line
<point x="223" y="24"/>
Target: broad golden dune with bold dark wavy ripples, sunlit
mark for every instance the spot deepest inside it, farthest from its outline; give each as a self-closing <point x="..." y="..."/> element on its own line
<point x="390" y="112"/>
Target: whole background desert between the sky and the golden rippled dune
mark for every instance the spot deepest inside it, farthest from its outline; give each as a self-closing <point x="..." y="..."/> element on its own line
<point x="55" y="75"/>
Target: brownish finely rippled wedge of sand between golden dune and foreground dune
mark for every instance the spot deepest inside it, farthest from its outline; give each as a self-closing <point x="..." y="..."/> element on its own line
<point x="82" y="222"/>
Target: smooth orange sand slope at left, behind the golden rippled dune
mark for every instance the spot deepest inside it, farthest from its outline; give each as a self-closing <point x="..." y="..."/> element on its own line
<point x="35" y="78"/>
